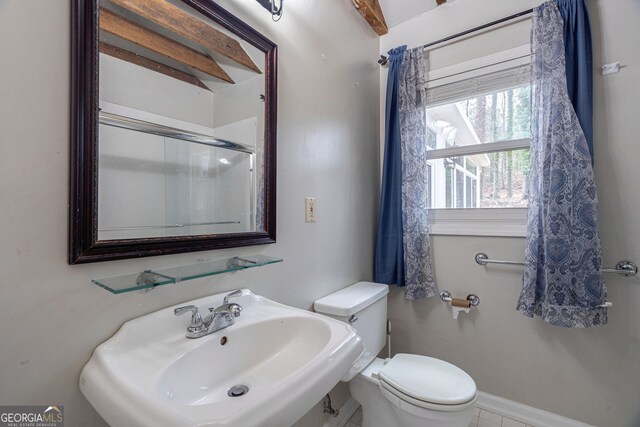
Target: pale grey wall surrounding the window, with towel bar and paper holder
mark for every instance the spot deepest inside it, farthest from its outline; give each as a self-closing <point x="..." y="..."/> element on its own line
<point x="591" y="375"/>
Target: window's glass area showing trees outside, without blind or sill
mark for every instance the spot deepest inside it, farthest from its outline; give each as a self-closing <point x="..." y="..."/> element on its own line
<point x="486" y="175"/>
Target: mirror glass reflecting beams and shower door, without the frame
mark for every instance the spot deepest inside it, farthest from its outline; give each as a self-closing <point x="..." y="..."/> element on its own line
<point x="181" y="124"/>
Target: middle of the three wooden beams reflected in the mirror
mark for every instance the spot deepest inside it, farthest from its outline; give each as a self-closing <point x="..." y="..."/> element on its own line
<point x="142" y="36"/>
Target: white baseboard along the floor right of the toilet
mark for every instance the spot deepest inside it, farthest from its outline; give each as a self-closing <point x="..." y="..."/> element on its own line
<point x="523" y="413"/>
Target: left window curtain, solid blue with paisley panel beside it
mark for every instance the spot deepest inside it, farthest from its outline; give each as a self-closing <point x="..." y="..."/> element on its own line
<point x="403" y="250"/>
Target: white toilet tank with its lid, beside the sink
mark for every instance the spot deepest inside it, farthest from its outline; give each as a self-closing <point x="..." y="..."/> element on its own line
<point x="364" y="306"/>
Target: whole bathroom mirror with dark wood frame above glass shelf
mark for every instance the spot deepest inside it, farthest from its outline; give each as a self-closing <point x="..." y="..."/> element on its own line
<point x="173" y="123"/>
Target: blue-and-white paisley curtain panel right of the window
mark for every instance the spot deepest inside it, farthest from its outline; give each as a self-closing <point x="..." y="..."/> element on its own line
<point x="562" y="280"/>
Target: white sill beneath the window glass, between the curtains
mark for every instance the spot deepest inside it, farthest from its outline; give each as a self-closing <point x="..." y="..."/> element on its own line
<point x="504" y="222"/>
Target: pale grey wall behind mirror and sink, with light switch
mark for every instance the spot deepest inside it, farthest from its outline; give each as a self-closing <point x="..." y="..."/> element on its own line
<point x="52" y="317"/>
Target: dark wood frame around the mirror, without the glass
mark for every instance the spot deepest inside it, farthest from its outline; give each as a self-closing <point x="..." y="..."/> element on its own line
<point x="84" y="245"/>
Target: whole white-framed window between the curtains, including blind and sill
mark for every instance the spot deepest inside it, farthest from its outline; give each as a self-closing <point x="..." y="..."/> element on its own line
<point x="478" y="141"/>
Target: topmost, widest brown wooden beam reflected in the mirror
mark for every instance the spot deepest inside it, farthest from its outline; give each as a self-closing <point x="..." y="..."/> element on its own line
<point x="171" y="17"/>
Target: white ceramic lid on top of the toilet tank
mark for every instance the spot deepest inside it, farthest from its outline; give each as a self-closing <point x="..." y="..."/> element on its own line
<point x="351" y="299"/>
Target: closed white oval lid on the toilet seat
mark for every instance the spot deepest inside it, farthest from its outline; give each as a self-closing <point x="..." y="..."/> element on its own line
<point x="428" y="380"/>
